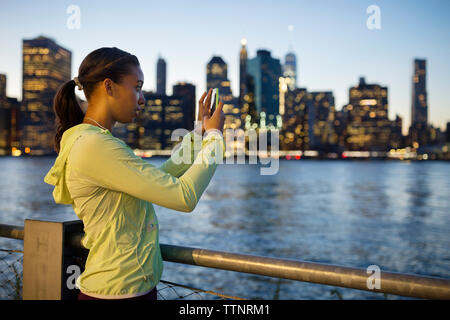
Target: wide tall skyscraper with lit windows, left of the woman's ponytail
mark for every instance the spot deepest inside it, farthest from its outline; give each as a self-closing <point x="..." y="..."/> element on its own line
<point x="46" y="66"/>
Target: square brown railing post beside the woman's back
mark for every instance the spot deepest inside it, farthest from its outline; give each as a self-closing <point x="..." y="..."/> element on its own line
<point x="47" y="255"/>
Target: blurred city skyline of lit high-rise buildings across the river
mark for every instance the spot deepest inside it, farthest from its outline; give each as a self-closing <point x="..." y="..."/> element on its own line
<point x="305" y="119"/>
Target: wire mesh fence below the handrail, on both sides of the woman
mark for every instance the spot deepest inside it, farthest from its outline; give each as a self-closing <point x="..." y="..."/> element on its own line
<point x="11" y="262"/>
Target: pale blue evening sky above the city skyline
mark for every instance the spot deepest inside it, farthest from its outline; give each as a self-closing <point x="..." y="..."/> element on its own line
<point x="333" y="45"/>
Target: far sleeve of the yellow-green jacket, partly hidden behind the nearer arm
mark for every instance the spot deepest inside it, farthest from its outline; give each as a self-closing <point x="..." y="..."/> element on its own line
<point x="182" y="157"/>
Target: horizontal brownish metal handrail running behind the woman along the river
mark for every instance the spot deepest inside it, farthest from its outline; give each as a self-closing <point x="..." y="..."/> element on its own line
<point x="355" y="278"/>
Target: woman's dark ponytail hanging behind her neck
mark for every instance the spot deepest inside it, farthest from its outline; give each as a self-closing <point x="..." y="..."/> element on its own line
<point x="67" y="111"/>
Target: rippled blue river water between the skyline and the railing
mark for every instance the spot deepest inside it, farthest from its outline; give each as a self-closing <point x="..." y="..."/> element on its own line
<point x="395" y="215"/>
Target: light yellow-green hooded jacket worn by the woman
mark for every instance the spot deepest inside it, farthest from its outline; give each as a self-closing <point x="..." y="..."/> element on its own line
<point x="112" y="191"/>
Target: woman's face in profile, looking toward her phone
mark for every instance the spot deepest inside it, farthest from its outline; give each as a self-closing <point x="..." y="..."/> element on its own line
<point x="128" y="97"/>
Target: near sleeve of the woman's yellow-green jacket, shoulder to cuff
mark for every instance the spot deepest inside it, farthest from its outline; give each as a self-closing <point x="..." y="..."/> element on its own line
<point x="113" y="165"/>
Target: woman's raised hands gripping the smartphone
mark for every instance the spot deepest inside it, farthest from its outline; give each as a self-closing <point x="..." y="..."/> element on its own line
<point x="214" y="121"/>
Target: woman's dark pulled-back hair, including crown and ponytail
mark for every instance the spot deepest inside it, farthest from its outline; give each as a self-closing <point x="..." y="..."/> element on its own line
<point x="98" y="65"/>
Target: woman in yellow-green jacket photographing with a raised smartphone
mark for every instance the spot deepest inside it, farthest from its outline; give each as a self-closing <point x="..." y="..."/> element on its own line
<point x="110" y="188"/>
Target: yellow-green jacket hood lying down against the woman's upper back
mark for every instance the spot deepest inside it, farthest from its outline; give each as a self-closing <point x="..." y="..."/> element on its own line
<point x="57" y="174"/>
